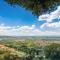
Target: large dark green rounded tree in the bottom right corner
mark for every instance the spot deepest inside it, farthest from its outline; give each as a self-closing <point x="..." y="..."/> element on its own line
<point x="52" y="51"/>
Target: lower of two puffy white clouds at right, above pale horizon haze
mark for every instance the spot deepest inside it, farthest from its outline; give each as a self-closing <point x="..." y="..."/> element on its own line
<point x="55" y="26"/>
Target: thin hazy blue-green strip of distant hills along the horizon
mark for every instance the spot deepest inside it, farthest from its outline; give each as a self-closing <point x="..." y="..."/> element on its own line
<point x="31" y="37"/>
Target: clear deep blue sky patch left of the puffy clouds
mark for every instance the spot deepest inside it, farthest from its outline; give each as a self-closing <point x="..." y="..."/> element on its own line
<point x="15" y="15"/>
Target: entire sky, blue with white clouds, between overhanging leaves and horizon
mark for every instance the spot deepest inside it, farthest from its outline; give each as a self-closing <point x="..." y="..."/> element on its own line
<point x="17" y="21"/>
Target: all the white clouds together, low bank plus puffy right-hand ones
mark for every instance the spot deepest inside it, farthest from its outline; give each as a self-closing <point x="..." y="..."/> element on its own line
<point x="47" y="28"/>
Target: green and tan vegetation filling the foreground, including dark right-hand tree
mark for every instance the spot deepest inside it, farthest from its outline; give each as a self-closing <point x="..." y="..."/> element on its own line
<point x="28" y="50"/>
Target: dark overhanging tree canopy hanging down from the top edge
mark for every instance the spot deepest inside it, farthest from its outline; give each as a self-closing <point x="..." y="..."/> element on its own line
<point x="37" y="7"/>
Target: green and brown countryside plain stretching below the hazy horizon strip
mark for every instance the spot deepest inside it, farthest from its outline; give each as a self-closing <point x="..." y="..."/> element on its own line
<point x="28" y="49"/>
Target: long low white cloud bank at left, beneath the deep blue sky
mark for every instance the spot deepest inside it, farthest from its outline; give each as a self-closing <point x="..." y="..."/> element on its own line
<point x="16" y="30"/>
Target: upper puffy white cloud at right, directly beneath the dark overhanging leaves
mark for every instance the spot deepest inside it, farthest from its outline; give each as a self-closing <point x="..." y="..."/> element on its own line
<point x="49" y="17"/>
